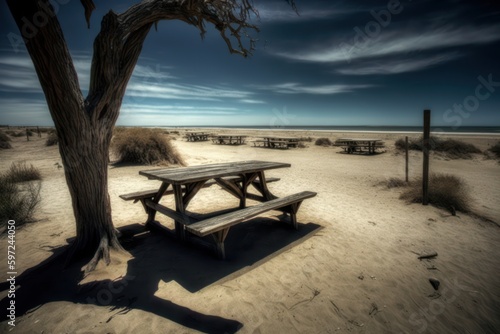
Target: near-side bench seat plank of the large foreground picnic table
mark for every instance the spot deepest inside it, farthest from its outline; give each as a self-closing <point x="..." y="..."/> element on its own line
<point x="214" y="224"/>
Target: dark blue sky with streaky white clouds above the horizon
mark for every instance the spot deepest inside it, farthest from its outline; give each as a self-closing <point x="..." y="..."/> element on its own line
<point x="335" y="63"/>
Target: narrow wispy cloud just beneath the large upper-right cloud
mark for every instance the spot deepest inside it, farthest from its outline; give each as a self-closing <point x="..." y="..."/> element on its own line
<point x="397" y="65"/>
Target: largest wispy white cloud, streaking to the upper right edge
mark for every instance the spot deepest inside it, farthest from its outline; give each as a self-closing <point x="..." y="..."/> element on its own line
<point x="389" y="43"/>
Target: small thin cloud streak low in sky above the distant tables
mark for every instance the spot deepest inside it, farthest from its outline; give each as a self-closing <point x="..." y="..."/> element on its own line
<point x="296" y="88"/>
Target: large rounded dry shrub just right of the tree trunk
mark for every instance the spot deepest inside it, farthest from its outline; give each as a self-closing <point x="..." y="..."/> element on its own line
<point x="145" y="146"/>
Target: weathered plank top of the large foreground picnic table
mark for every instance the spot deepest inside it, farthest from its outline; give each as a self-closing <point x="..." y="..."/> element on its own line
<point x="186" y="175"/>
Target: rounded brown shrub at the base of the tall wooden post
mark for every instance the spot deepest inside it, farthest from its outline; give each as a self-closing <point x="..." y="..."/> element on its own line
<point x="445" y="191"/>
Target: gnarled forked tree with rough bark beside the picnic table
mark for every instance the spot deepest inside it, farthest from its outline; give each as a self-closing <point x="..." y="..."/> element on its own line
<point x="84" y="125"/>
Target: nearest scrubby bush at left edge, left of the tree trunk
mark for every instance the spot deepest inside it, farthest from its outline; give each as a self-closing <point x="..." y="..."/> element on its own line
<point x="18" y="202"/>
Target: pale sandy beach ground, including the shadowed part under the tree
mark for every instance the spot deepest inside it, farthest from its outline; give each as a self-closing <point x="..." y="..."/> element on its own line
<point x="351" y="267"/>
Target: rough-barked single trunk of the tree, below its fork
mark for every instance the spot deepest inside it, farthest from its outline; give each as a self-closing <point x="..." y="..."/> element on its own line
<point x="86" y="169"/>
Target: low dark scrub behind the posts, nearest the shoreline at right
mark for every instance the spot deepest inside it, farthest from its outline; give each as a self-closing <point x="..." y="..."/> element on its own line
<point x="452" y="148"/>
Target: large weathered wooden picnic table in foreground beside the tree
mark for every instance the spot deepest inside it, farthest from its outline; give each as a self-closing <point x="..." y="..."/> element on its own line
<point x="233" y="177"/>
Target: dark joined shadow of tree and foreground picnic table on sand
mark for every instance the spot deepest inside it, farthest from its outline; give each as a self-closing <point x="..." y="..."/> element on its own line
<point x="155" y="259"/>
